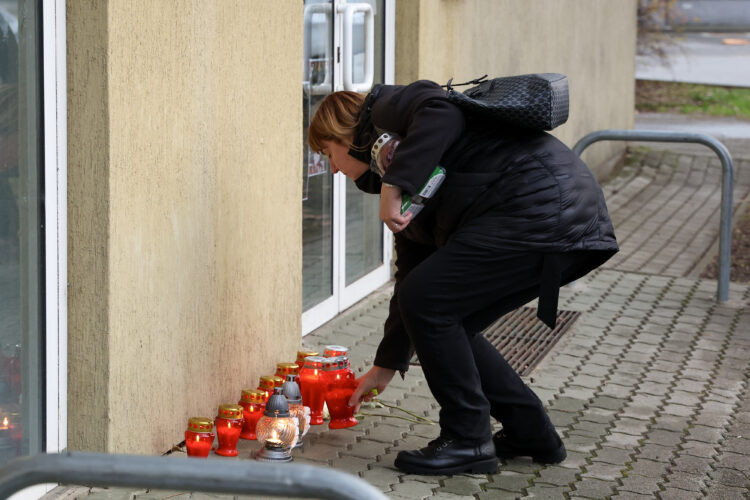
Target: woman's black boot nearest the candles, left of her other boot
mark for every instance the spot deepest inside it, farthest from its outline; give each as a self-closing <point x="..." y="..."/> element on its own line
<point x="445" y="456"/>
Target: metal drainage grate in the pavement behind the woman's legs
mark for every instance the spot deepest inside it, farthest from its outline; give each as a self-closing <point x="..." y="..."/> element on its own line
<point x="523" y="340"/>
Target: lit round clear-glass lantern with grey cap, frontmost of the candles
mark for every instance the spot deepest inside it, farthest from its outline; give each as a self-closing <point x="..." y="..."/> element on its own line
<point x="276" y="430"/>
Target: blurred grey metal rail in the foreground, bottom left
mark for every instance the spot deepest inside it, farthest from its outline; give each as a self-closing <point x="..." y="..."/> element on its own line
<point x="184" y="474"/>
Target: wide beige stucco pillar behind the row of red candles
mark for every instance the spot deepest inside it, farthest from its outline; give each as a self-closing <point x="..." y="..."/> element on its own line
<point x="185" y="146"/>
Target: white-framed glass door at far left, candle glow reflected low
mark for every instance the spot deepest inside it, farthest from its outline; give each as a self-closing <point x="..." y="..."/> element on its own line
<point x="33" y="245"/>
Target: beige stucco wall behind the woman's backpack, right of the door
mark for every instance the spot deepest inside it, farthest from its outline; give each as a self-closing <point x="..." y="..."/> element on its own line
<point x="590" y="41"/>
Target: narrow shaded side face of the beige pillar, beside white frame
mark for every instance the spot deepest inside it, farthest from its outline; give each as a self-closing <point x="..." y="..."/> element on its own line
<point x="88" y="225"/>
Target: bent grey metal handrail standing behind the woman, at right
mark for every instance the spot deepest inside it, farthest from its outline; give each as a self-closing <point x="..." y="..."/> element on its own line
<point x="727" y="183"/>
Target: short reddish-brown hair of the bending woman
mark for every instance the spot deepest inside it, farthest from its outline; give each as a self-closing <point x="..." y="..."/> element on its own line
<point x="335" y="119"/>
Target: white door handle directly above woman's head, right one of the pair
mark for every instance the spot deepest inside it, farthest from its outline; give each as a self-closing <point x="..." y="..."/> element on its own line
<point x="348" y="70"/>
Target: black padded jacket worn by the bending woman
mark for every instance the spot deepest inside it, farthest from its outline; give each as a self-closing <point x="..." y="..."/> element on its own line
<point x="506" y="188"/>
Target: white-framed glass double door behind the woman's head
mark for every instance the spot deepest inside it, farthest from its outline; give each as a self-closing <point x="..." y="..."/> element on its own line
<point x="346" y="252"/>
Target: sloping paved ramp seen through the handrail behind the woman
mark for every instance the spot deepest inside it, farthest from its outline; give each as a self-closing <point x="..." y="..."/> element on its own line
<point x="665" y="206"/>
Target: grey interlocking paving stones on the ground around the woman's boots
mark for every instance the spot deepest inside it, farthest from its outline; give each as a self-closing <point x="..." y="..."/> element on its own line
<point x="650" y="388"/>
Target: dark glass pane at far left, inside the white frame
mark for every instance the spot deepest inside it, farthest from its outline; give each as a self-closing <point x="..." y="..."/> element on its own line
<point x="20" y="230"/>
